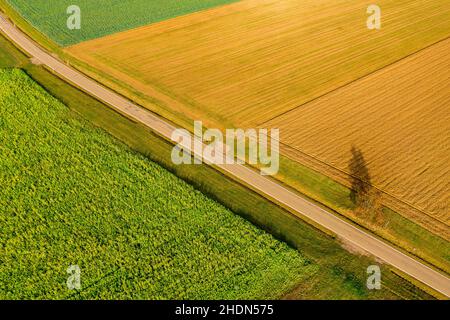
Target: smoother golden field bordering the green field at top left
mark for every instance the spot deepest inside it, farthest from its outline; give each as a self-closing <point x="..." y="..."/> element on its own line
<point x="245" y="63"/>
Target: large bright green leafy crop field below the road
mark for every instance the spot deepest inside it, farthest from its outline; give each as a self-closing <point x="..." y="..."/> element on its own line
<point x="73" y="195"/>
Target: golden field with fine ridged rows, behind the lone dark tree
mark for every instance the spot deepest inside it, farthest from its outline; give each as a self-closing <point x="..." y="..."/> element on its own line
<point x="398" y="119"/>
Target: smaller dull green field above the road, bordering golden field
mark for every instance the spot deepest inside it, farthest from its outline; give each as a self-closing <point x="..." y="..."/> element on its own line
<point x="103" y="17"/>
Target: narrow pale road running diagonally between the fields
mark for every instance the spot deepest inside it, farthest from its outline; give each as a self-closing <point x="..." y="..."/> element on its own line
<point x="272" y="190"/>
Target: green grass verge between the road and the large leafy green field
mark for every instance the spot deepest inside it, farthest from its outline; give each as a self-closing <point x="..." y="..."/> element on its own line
<point x="341" y="275"/>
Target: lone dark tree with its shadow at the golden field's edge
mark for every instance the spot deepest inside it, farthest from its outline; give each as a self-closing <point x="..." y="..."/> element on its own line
<point x="363" y="195"/>
